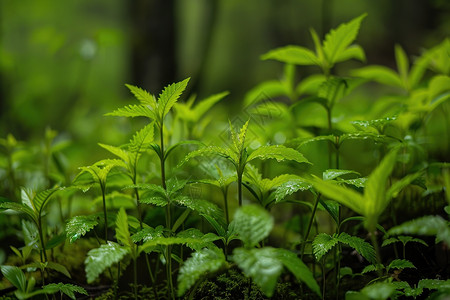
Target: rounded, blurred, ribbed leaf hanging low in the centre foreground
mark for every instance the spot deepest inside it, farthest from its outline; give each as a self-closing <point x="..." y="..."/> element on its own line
<point x="252" y="224"/>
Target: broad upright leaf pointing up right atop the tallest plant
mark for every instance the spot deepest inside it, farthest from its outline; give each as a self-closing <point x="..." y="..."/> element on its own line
<point x="337" y="40"/>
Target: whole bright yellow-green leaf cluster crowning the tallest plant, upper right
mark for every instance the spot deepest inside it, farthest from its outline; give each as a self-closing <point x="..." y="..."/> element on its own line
<point x="335" y="48"/>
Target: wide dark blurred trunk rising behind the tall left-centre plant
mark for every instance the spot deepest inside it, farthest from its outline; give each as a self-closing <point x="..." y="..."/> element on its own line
<point x="153" y="43"/>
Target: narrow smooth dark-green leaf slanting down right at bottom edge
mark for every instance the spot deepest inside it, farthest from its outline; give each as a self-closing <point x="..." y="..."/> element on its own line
<point x="298" y="268"/>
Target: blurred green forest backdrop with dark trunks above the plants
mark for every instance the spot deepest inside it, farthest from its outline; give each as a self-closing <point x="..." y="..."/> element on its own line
<point x="64" y="64"/>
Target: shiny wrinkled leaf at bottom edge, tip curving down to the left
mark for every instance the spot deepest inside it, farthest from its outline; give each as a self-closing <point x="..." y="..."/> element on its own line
<point x="201" y="263"/>
